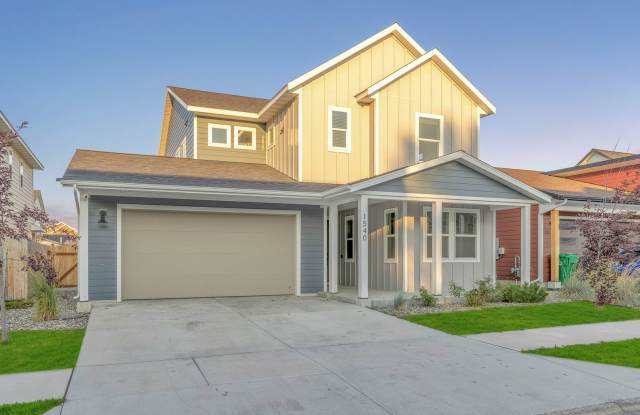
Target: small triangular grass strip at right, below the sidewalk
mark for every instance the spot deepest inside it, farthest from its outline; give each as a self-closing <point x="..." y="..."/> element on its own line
<point x="621" y="353"/>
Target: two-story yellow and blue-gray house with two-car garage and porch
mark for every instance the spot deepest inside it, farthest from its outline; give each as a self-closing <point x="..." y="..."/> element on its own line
<point x="360" y="175"/>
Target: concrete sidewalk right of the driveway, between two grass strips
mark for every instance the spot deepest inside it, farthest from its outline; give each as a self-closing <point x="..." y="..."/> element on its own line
<point x="562" y="336"/>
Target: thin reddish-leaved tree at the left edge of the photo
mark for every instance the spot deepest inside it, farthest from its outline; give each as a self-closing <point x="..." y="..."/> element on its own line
<point x="14" y="223"/>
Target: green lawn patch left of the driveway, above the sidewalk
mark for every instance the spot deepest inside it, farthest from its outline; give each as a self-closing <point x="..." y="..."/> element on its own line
<point x="29" y="351"/>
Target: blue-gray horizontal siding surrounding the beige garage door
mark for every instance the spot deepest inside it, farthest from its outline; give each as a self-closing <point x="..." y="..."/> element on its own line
<point x="102" y="259"/>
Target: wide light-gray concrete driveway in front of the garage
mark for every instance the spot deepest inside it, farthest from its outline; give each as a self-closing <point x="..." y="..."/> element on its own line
<point x="280" y="355"/>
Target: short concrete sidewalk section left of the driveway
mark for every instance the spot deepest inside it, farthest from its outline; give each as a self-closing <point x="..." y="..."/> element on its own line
<point x="33" y="386"/>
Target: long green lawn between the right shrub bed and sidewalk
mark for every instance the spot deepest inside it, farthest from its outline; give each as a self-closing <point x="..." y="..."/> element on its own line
<point x="523" y="317"/>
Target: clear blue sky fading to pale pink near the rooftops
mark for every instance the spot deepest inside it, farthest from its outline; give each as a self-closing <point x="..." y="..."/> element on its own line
<point x="563" y="75"/>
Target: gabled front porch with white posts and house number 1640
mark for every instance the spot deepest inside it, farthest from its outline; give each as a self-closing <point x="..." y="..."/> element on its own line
<point x="424" y="226"/>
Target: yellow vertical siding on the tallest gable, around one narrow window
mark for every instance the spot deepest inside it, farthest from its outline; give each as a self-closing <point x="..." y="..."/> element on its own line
<point x="338" y="87"/>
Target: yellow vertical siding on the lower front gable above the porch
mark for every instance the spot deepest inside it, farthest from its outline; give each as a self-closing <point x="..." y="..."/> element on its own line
<point x="426" y="89"/>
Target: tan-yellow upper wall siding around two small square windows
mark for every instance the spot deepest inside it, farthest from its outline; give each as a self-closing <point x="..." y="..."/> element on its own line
<point x="207" y="152"/>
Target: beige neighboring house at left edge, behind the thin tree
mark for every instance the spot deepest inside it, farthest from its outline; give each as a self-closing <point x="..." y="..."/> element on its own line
<point x="23" y="162"/>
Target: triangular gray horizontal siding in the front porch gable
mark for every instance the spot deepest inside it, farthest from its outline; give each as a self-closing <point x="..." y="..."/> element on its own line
<point x="450" y="179"/>
